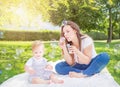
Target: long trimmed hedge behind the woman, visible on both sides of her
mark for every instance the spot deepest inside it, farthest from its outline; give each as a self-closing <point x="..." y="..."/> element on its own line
<point x="45" y="35"/>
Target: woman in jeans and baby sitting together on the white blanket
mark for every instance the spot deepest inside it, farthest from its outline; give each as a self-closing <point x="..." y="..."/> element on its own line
<point x="81" y="59"/>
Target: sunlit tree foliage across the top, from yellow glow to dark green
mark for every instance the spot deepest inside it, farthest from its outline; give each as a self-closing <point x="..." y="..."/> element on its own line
<point x="88" y="14"/>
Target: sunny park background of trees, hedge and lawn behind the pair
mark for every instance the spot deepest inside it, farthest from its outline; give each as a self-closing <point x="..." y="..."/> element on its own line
<point x="23" y="21"/>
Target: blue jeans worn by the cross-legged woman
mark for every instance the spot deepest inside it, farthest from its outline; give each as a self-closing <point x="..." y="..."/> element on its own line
<point x="95" y="66"/>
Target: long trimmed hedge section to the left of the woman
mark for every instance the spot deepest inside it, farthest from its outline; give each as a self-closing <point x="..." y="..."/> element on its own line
<point x="30" y="35"/>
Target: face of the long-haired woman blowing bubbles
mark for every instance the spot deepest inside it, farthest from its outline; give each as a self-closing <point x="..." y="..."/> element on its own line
<point x="69" y="33"/>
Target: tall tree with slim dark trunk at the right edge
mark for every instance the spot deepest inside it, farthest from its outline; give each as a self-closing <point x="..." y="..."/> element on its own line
<point x="110" y="10"/>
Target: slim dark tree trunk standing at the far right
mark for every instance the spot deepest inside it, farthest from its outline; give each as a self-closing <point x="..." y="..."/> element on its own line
<point x="110" y="27"/>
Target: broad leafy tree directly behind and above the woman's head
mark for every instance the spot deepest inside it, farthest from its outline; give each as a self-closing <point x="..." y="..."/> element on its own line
<point x="80" y="11"/>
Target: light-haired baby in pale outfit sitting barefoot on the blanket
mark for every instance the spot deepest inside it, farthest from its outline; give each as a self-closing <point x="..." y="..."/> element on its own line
<point x="40" y="72"/>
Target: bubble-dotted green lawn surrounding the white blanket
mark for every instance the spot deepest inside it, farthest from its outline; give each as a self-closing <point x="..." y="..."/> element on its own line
<point x="14" y="54"/>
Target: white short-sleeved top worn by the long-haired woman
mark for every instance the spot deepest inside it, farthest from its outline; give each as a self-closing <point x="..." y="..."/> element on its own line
<point x="85" y="42"/>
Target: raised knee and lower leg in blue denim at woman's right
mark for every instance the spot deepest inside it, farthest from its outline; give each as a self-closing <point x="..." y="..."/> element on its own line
<point x="98" y="63"/>
